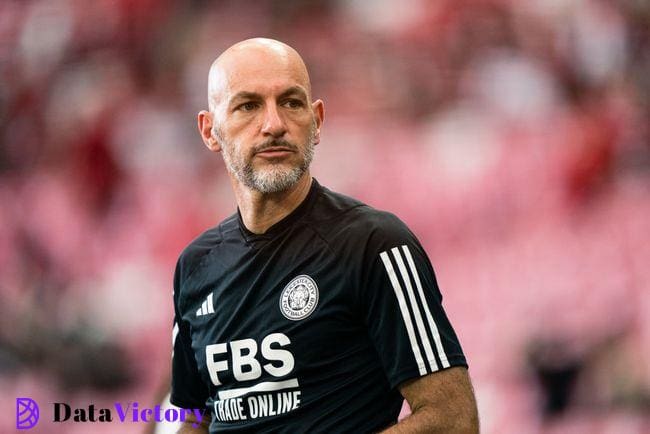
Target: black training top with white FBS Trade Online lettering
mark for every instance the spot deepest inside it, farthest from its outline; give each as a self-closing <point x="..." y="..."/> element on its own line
<point x="309" y="327"/>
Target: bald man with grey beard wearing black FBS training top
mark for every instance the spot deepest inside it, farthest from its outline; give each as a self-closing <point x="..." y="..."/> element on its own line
<point x="307" y="311"/>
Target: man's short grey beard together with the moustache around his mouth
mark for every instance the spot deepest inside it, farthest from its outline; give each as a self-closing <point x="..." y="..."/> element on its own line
<point x="273" y="177"/>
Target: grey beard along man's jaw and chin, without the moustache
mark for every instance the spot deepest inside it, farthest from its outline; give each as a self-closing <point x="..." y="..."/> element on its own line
<point x="274" y="179"/>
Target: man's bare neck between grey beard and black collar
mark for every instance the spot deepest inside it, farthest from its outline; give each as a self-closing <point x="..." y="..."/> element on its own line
<point x="261" y="211"/>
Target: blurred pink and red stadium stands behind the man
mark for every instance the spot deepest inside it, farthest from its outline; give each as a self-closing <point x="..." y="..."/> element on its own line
<point x="512" y="136"/>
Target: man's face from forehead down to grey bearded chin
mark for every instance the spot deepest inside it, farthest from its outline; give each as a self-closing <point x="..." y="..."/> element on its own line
<point x="265" y="123"/>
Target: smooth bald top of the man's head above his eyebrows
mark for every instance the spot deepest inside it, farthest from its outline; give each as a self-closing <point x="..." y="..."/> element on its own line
<point x="247" y="63"/>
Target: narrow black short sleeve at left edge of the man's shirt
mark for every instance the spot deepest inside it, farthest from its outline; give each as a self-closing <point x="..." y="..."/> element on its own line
<point x="188" y="390"/>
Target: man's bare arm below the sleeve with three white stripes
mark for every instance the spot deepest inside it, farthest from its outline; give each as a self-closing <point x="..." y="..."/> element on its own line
<point x="442" y="402"/>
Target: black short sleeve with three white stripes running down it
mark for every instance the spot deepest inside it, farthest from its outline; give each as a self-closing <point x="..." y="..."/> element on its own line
<point x="402" y="306"/>
